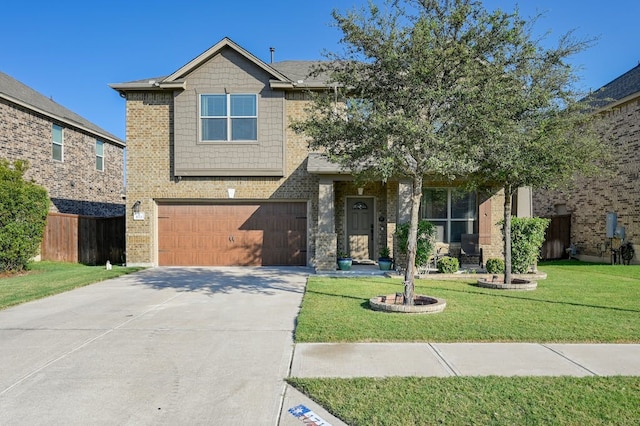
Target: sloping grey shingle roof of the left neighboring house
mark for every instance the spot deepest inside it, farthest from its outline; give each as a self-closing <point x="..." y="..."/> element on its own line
<point x="17" y="92"/>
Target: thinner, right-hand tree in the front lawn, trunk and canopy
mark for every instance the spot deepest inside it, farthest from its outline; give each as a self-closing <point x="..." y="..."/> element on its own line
<point x="533" y="130"/>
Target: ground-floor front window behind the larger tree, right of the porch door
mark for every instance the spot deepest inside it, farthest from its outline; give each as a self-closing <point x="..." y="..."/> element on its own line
<point x="452" y="211"/>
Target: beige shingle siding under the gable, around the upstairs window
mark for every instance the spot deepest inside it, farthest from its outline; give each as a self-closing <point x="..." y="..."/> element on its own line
<point x="229" y="72"/>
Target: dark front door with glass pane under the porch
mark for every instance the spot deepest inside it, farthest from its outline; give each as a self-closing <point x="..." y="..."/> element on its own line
<point x="360" y="228"/>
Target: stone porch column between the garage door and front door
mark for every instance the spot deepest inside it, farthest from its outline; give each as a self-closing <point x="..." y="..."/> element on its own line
<point x="326" y="239"/>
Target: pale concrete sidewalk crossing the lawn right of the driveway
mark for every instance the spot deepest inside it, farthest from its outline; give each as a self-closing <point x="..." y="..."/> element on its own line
<point x="464" y="359"/>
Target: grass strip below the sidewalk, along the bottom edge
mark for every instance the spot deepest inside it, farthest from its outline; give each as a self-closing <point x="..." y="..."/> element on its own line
<point x="479" y="401"/>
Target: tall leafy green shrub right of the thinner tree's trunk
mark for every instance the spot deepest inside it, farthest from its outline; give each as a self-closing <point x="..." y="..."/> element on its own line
<point x="527" y="237"/>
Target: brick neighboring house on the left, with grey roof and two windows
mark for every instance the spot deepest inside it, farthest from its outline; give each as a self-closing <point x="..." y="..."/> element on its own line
<point x="80" y="164"/>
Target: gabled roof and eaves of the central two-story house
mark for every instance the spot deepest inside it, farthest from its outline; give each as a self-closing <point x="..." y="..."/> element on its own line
<point x="284" y="75"/>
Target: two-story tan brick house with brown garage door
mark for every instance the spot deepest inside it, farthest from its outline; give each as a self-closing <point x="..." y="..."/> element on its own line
<point x="215" y="175"/>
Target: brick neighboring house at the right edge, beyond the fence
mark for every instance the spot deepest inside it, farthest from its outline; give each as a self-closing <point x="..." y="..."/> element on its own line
<point x="589" y="202"/>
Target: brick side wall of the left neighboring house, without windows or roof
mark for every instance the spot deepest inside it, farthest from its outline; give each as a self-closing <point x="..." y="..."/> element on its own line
<point x="74" y="185"/>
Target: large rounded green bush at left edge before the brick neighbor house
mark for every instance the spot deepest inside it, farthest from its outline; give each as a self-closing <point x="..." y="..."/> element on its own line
<point x="23" y="214"/>
